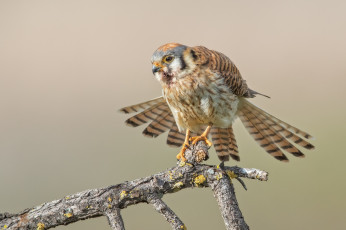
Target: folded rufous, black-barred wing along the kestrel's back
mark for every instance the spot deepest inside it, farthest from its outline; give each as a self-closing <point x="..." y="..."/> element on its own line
<point x="222" y="65"/>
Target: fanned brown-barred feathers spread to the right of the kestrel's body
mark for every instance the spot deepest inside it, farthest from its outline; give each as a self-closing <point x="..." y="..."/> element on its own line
<point x="271" y="133"/>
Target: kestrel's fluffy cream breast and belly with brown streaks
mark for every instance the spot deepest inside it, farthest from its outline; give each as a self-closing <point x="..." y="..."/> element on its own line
<point x="201" y="99"/>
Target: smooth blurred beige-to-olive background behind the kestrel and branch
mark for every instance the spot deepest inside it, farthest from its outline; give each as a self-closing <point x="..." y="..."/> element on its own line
<point x="67" y="66"/>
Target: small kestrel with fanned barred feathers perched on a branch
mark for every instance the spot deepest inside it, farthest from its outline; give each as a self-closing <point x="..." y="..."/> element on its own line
<point x="203" y="93"/>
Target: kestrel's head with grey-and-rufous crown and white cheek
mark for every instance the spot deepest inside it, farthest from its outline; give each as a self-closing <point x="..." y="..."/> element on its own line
<point x="172" y="62"/>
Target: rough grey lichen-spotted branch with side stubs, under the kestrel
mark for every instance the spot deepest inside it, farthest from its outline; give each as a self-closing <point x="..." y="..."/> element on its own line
<point x="110" y="200"/>
